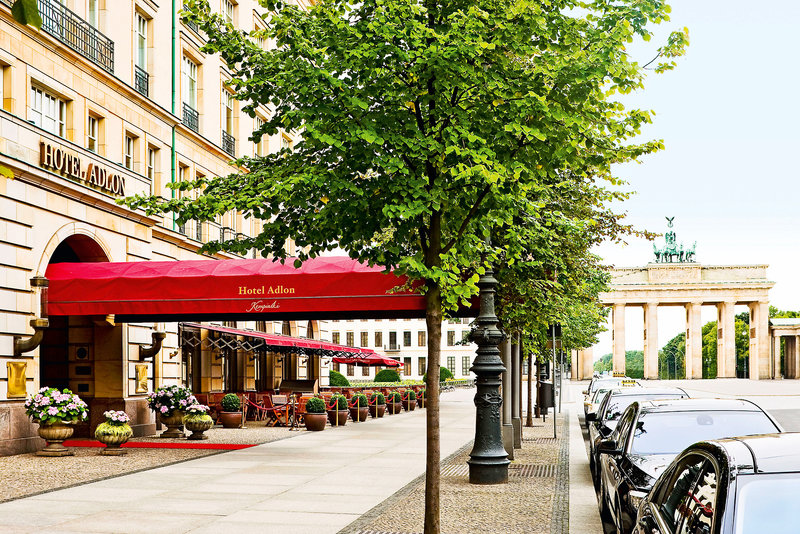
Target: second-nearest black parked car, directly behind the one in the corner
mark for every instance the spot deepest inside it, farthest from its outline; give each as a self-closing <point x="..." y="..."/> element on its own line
<point x="651" y="434"/>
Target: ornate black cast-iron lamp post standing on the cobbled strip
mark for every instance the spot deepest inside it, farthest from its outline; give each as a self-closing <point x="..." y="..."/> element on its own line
<point x="488" y="461"/>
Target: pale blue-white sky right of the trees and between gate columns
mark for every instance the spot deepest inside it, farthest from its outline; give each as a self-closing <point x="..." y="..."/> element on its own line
<point x="729" y="117"/>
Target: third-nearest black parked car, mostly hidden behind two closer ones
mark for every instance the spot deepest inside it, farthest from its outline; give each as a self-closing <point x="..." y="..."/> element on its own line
<point x="602" y="422"/>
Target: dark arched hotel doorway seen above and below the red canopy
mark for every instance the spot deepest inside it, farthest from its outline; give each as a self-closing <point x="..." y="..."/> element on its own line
<point x="69" y="350"/>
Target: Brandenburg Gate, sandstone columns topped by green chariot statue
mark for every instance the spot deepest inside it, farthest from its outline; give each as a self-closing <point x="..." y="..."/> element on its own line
<point x="675" y="280"/>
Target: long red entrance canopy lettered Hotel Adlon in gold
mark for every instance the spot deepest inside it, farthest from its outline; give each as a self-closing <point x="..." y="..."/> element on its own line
<point x="324" y="287"/>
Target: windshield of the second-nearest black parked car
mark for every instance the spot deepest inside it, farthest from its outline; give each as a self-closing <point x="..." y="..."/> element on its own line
<point x="671" y="432"/>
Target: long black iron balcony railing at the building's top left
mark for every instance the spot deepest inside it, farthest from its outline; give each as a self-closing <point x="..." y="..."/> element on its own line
<point x="68" y="28"/>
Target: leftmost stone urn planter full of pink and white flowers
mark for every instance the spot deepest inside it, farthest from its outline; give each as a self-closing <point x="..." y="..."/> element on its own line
<point x="55" y="410"/>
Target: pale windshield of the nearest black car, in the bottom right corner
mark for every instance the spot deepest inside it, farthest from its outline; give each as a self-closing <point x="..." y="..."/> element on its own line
<point x="766" y="503"/>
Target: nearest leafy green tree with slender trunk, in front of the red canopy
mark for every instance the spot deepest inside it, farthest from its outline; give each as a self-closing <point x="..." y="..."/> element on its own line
<point x="427" y="127"/>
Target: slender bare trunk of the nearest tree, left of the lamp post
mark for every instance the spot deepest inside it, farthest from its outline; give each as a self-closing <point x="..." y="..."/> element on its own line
<point x="433" y="318"/>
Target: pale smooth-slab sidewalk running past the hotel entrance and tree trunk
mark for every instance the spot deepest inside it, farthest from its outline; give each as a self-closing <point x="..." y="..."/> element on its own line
<point x="314" y="482"/>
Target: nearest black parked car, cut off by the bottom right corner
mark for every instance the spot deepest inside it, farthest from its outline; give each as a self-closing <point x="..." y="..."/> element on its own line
<point x="745" y="485"/>
